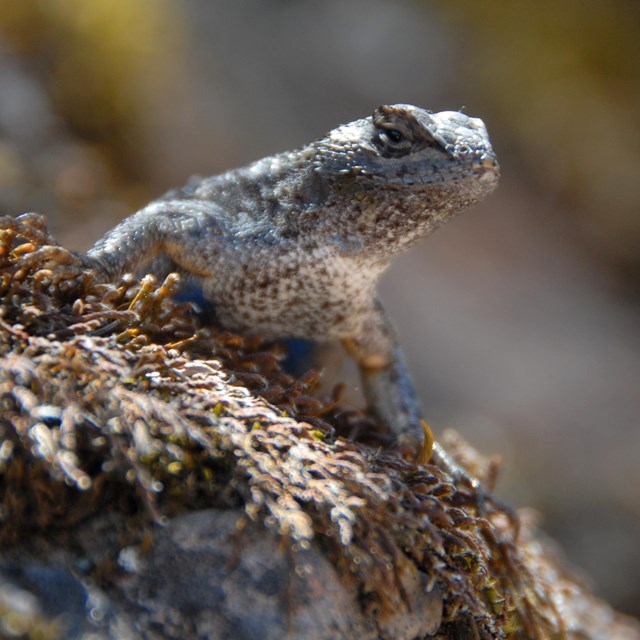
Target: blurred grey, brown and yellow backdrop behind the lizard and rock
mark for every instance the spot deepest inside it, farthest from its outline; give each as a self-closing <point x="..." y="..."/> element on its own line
<point x="520" y="319"/>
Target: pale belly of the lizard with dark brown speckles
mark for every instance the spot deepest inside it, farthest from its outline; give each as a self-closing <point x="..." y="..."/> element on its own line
<point x="311" y="295"/>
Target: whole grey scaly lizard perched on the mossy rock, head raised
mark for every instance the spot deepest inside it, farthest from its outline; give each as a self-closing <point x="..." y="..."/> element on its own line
<point x="293" y="245"/>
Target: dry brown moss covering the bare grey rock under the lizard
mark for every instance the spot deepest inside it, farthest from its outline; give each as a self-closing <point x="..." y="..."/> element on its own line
<point x="113" y="397"/>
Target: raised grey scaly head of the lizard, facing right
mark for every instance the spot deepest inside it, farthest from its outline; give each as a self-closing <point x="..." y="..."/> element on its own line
<point x="430" y="165"/>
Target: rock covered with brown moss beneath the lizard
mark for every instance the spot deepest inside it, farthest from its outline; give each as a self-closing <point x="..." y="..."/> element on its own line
<point x="142" y="452"/>
